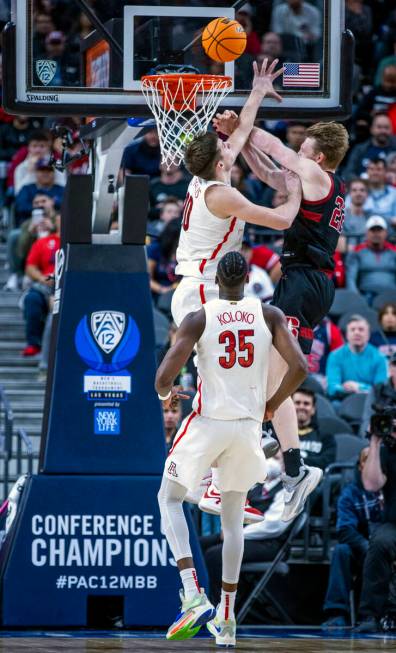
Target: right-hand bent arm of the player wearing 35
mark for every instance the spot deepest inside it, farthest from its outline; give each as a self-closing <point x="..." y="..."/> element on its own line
<point x="290" y="351"/>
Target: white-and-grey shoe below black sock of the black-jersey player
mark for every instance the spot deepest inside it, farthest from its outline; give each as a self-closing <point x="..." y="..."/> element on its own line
<point x="298" y="488"/>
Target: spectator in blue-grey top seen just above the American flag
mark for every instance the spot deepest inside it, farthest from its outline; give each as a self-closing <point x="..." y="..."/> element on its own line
<point x="299" y="18"/>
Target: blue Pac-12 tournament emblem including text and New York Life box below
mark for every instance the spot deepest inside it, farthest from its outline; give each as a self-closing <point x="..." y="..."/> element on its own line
<point x="107" y="341"/>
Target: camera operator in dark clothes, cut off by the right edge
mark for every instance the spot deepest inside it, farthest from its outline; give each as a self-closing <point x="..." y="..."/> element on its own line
<point x="379" y="473"/>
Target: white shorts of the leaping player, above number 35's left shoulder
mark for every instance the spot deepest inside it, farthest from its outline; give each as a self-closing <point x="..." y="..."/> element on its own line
<point x="190" y="295"/>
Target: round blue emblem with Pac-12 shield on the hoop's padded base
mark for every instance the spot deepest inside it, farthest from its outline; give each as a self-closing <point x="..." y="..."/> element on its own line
<point x="111" y="332"/>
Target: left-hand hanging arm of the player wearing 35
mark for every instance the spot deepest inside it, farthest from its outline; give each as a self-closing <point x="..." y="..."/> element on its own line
<point x="187" y="335"/>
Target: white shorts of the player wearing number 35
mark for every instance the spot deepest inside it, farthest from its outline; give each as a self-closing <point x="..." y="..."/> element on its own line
<point x="235" y="444"/>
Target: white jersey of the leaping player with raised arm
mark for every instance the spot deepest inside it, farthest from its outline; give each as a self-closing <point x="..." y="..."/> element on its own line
<point x="204" y="238"/>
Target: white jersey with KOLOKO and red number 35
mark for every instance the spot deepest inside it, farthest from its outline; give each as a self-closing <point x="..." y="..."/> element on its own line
<point x="233" y="354"/>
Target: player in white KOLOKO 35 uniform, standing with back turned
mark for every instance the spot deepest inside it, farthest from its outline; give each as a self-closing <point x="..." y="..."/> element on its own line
<point x="233" y="336"/>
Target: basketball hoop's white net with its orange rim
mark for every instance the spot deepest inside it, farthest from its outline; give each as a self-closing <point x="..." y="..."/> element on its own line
<point x="183" y="106"/>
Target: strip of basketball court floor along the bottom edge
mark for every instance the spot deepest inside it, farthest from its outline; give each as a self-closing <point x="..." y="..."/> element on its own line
<point x="277" y="640"/>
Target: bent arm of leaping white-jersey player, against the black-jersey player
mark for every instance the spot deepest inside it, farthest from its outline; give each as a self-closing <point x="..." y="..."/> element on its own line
<point x="224" y="201"/>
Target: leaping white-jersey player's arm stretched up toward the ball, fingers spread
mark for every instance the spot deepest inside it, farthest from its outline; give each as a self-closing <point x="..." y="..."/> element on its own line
<point x="262" y="86"/>
